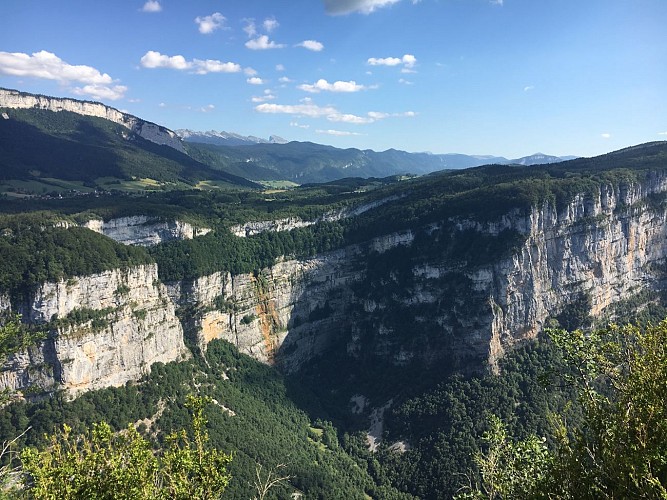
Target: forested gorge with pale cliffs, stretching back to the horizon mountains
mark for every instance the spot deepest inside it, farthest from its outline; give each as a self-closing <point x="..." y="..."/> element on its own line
<point x="309" y="314"/>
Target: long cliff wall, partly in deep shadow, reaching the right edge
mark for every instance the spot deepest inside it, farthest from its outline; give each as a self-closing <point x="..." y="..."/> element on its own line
<point x="428" y="309"/>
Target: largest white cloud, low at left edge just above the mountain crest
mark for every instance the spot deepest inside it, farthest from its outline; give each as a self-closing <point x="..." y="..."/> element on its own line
<point x="48" y="66"/>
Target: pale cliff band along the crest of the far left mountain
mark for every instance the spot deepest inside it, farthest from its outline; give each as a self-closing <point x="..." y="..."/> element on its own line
<point x="149" y="131"/>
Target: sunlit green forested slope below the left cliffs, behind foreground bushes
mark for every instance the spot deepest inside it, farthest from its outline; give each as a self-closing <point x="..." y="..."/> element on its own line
<point x="252" y="416"/>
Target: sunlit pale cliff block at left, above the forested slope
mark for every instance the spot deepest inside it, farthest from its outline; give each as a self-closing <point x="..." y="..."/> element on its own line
<point x="116" y="324"/>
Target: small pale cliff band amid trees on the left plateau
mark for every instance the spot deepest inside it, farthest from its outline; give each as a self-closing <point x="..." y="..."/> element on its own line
<point x="145" y="231"/>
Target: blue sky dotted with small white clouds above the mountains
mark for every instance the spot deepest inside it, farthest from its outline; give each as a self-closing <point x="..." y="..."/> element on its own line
<point x="502" y="77"/>
